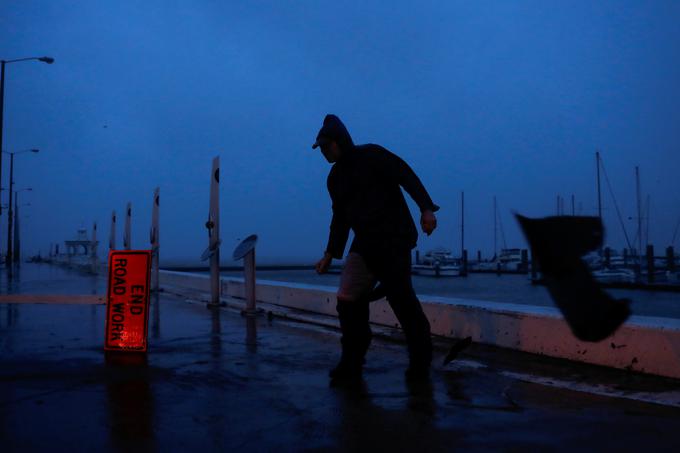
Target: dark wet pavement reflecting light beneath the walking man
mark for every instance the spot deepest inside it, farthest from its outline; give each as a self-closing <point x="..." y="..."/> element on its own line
<point x="215" y="380"/>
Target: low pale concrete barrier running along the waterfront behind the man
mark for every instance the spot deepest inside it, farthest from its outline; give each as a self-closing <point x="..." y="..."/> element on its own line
<point x="643" y="344"/>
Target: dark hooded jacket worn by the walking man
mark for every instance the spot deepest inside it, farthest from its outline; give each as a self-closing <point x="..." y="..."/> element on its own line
<point x="365" y="189"/>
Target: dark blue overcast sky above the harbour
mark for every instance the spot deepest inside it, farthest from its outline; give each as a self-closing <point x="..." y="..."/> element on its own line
<point x="501" y="98"/>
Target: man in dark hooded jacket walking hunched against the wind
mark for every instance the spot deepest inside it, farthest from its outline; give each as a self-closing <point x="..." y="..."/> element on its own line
<point x="365" y="187"/>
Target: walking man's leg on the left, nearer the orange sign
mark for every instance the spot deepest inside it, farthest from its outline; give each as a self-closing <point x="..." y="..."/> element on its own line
<point x="353" y="313"/>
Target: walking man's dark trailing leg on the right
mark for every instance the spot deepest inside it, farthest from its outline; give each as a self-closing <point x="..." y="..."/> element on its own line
<point x="393" y="270"/>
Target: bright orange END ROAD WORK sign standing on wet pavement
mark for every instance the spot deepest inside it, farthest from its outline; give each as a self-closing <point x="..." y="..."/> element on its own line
<point x="127" y="301"/>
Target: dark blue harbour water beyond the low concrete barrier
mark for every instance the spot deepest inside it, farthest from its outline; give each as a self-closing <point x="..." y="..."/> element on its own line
<point x="516" y="289"/>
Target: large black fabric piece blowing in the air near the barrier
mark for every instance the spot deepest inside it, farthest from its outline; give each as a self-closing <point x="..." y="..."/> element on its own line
<point x="557" y="244"/>
